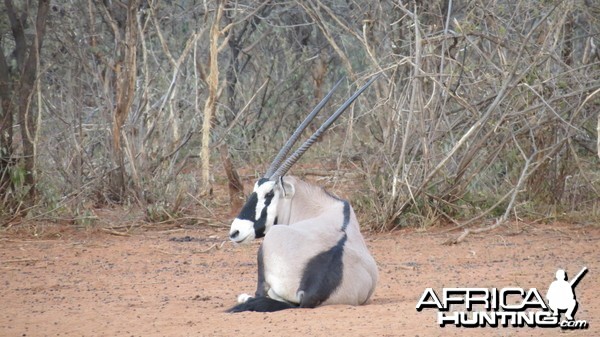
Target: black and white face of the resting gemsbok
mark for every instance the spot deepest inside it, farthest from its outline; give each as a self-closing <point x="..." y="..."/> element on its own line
<point x="258" y="214"/>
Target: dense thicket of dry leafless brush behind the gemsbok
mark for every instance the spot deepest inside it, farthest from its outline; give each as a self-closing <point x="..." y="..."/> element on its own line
<point x="486" y="111"/>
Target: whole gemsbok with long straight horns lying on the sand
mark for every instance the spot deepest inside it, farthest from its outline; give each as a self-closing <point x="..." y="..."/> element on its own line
<point x="315" y="255"/>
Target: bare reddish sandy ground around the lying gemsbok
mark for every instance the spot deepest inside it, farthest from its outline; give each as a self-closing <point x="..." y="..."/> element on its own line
<point x="90" y="283"/>
